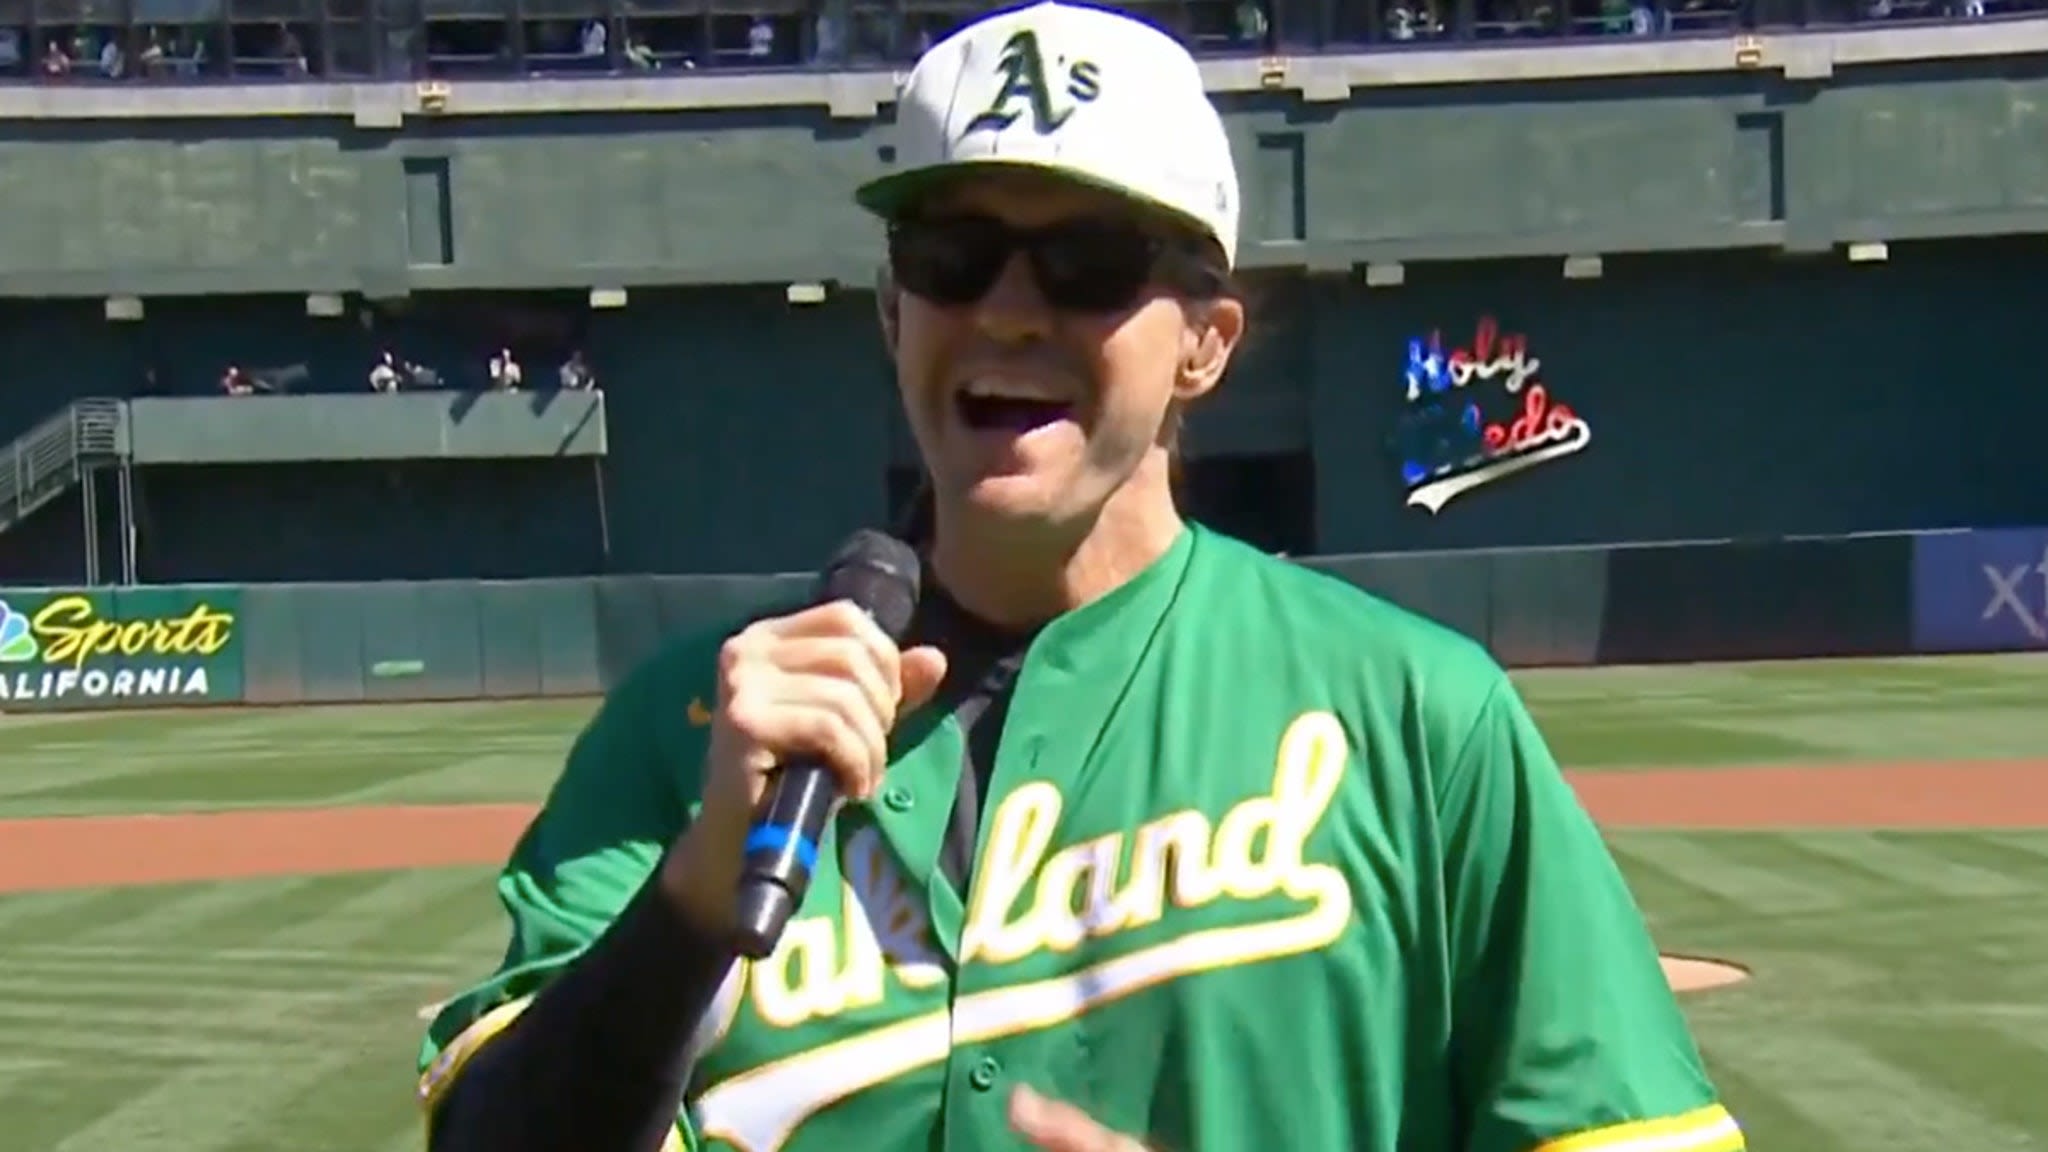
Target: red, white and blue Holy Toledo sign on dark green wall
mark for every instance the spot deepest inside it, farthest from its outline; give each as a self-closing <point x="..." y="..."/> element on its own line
<point x="1478" y="415"/>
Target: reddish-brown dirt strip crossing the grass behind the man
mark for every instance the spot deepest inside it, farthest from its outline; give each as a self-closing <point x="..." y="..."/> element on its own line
<point x="95" y="852"/>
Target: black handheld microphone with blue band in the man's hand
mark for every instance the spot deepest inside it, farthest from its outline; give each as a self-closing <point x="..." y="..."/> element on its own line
<point x="880" y="575"/>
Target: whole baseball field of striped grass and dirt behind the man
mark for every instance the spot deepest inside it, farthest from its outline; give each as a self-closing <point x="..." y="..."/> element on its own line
<point x="218" y="930"/>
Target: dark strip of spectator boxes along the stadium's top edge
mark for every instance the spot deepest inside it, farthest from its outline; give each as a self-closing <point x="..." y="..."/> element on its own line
<point x="196" y="42"/>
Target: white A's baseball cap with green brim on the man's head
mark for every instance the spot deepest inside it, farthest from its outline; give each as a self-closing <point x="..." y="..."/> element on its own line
<point x="1082" y="93"/>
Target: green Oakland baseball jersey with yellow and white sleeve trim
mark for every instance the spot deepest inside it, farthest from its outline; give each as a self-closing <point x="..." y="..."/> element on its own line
<point x="1265" y="864"/>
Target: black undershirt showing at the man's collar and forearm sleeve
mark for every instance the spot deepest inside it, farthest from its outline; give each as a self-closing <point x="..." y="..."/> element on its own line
<point x="599" y="1063"/>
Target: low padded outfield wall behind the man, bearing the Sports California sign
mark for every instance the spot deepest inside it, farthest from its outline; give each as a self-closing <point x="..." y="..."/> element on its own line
<point x="579" y="636"/>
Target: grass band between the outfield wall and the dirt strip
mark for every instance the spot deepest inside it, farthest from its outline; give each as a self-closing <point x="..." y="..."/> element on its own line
<point x="511" y="751"/>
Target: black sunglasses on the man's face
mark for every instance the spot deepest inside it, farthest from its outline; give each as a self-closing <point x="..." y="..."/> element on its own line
<point x="1082" y="265"/>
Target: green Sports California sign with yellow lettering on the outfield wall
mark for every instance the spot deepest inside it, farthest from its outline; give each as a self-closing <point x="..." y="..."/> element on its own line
<point x="120" y="649"/>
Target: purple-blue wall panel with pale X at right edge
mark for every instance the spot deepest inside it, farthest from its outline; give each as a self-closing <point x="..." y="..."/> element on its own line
<point x="1981" y="591"/>
